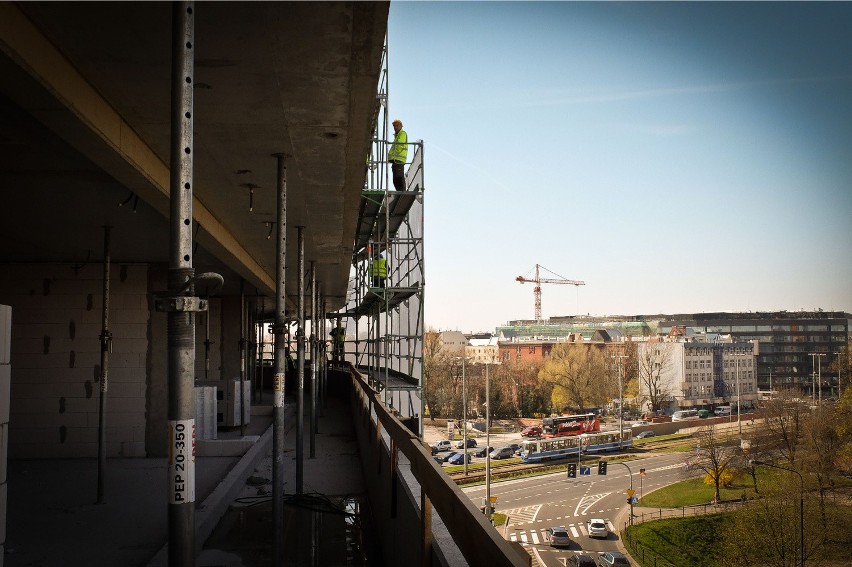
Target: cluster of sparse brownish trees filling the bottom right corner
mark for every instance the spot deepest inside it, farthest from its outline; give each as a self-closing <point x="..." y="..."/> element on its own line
<point x="814" y="446"/>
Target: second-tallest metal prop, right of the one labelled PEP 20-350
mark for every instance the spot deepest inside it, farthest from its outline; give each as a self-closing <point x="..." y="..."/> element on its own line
<point x="280" y="370"/>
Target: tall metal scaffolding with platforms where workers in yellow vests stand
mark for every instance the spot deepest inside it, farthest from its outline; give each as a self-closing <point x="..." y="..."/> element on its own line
<point x="384" y="319"/>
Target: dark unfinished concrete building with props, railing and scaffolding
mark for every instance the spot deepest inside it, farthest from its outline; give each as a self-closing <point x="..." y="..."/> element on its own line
<point x="193" y="199"/>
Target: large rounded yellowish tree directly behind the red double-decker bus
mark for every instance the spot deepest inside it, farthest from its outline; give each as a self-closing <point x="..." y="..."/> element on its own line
<point x="578" y="374"/>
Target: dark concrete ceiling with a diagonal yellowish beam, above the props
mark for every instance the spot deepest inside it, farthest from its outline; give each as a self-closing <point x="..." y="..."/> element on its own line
<point x="85" y="112"/>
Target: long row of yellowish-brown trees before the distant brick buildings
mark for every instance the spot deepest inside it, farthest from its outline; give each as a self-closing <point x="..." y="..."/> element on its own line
<point x="574" y="375"/>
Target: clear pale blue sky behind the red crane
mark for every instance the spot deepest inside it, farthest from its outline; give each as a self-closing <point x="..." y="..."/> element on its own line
<point x="676" y="157"/>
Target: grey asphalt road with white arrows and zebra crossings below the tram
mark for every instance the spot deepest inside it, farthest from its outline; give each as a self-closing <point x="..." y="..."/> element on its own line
<point x="536" y="503"/>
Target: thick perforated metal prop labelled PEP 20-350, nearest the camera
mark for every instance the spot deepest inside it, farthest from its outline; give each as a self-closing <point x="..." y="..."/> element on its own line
<point x="181" y="317"/>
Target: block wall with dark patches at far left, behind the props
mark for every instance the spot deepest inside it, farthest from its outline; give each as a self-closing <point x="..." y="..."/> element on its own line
<point x="55" y="355"/>
